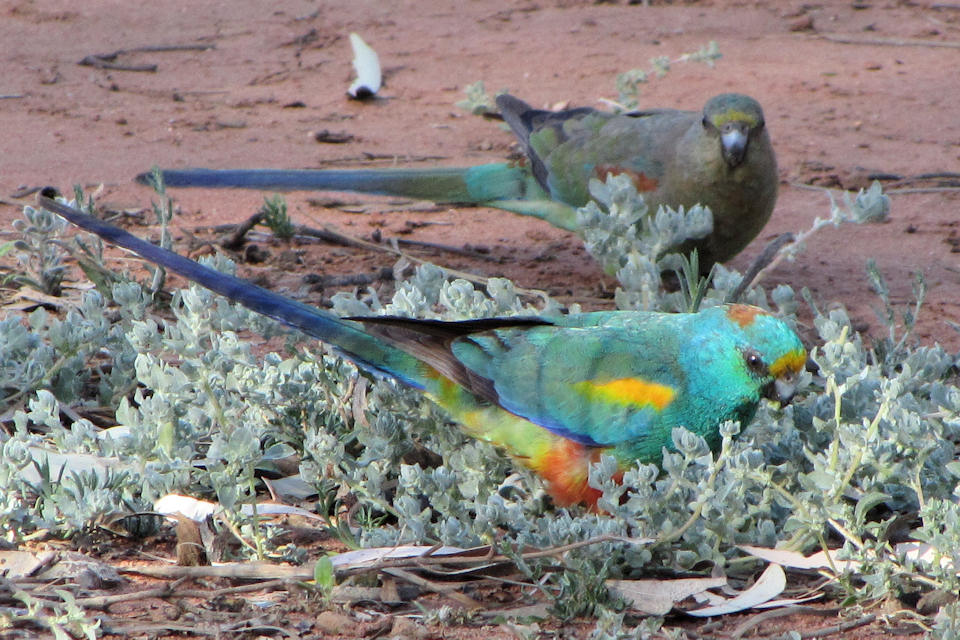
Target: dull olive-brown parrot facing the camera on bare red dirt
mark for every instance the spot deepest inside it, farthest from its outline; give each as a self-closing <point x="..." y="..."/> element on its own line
<point x="721" y="158"/>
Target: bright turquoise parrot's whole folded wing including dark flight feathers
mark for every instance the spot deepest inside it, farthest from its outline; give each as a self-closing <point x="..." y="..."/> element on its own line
<point x="594" y="378"/>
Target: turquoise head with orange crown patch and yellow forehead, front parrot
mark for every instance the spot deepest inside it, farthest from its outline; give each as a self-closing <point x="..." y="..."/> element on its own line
<point x="772" y="352"/>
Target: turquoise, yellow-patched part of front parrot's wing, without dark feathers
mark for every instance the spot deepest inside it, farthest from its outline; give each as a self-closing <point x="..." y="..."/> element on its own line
<point x="598" y="386"/>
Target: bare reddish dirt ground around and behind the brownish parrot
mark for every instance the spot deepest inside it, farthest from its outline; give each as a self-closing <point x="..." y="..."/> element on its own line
<point x="848" y="88"/>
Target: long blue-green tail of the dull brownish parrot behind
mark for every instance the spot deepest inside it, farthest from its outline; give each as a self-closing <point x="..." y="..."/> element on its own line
<point x="500" y="185"/>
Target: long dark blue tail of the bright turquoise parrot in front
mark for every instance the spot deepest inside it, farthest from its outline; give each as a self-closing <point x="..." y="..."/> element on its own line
<point x="359" y="346"/>
